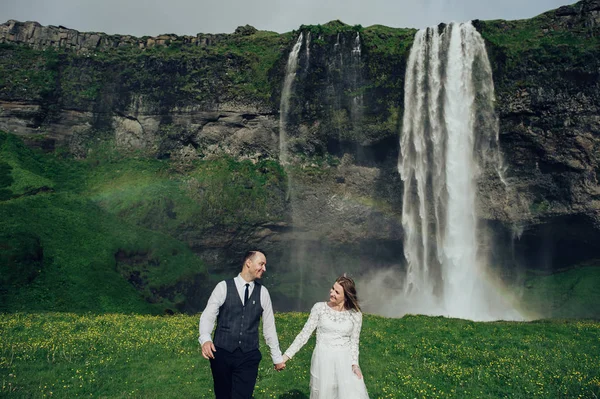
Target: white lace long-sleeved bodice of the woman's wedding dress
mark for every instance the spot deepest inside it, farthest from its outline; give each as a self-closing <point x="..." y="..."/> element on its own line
<point x="335" y="329"/>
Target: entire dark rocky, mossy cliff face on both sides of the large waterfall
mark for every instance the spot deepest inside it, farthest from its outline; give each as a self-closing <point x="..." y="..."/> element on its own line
<point x="213" y="101"/>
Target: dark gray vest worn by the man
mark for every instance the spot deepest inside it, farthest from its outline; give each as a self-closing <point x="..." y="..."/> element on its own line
<point x="237" y="325"/>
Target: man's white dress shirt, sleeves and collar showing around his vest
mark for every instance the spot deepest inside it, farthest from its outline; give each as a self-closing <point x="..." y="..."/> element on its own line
<point x="216" y="300"/>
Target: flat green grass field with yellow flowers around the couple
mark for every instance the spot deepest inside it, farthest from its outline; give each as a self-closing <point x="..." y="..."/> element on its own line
<point x="63" y="355"/>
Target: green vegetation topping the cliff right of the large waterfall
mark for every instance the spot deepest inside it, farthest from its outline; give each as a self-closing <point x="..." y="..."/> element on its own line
<point x="558" y="44"/>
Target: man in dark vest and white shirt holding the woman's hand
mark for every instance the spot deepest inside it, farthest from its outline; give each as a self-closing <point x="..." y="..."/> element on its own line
<point x="237" y="306"/>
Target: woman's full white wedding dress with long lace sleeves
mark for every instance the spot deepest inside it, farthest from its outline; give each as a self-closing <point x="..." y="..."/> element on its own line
<point x="331" y="375"/>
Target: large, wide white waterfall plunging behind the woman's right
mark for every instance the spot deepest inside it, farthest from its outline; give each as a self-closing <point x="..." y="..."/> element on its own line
<point x="449" y="136"/>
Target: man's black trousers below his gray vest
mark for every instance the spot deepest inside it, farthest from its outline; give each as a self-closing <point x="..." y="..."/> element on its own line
<point x="234" y="373"/>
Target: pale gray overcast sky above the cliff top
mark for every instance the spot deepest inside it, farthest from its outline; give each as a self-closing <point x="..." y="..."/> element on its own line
<point x="189" y="17"/>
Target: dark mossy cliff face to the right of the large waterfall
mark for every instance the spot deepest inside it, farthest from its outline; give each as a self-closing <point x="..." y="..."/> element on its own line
<point x="547" y="78"/>
